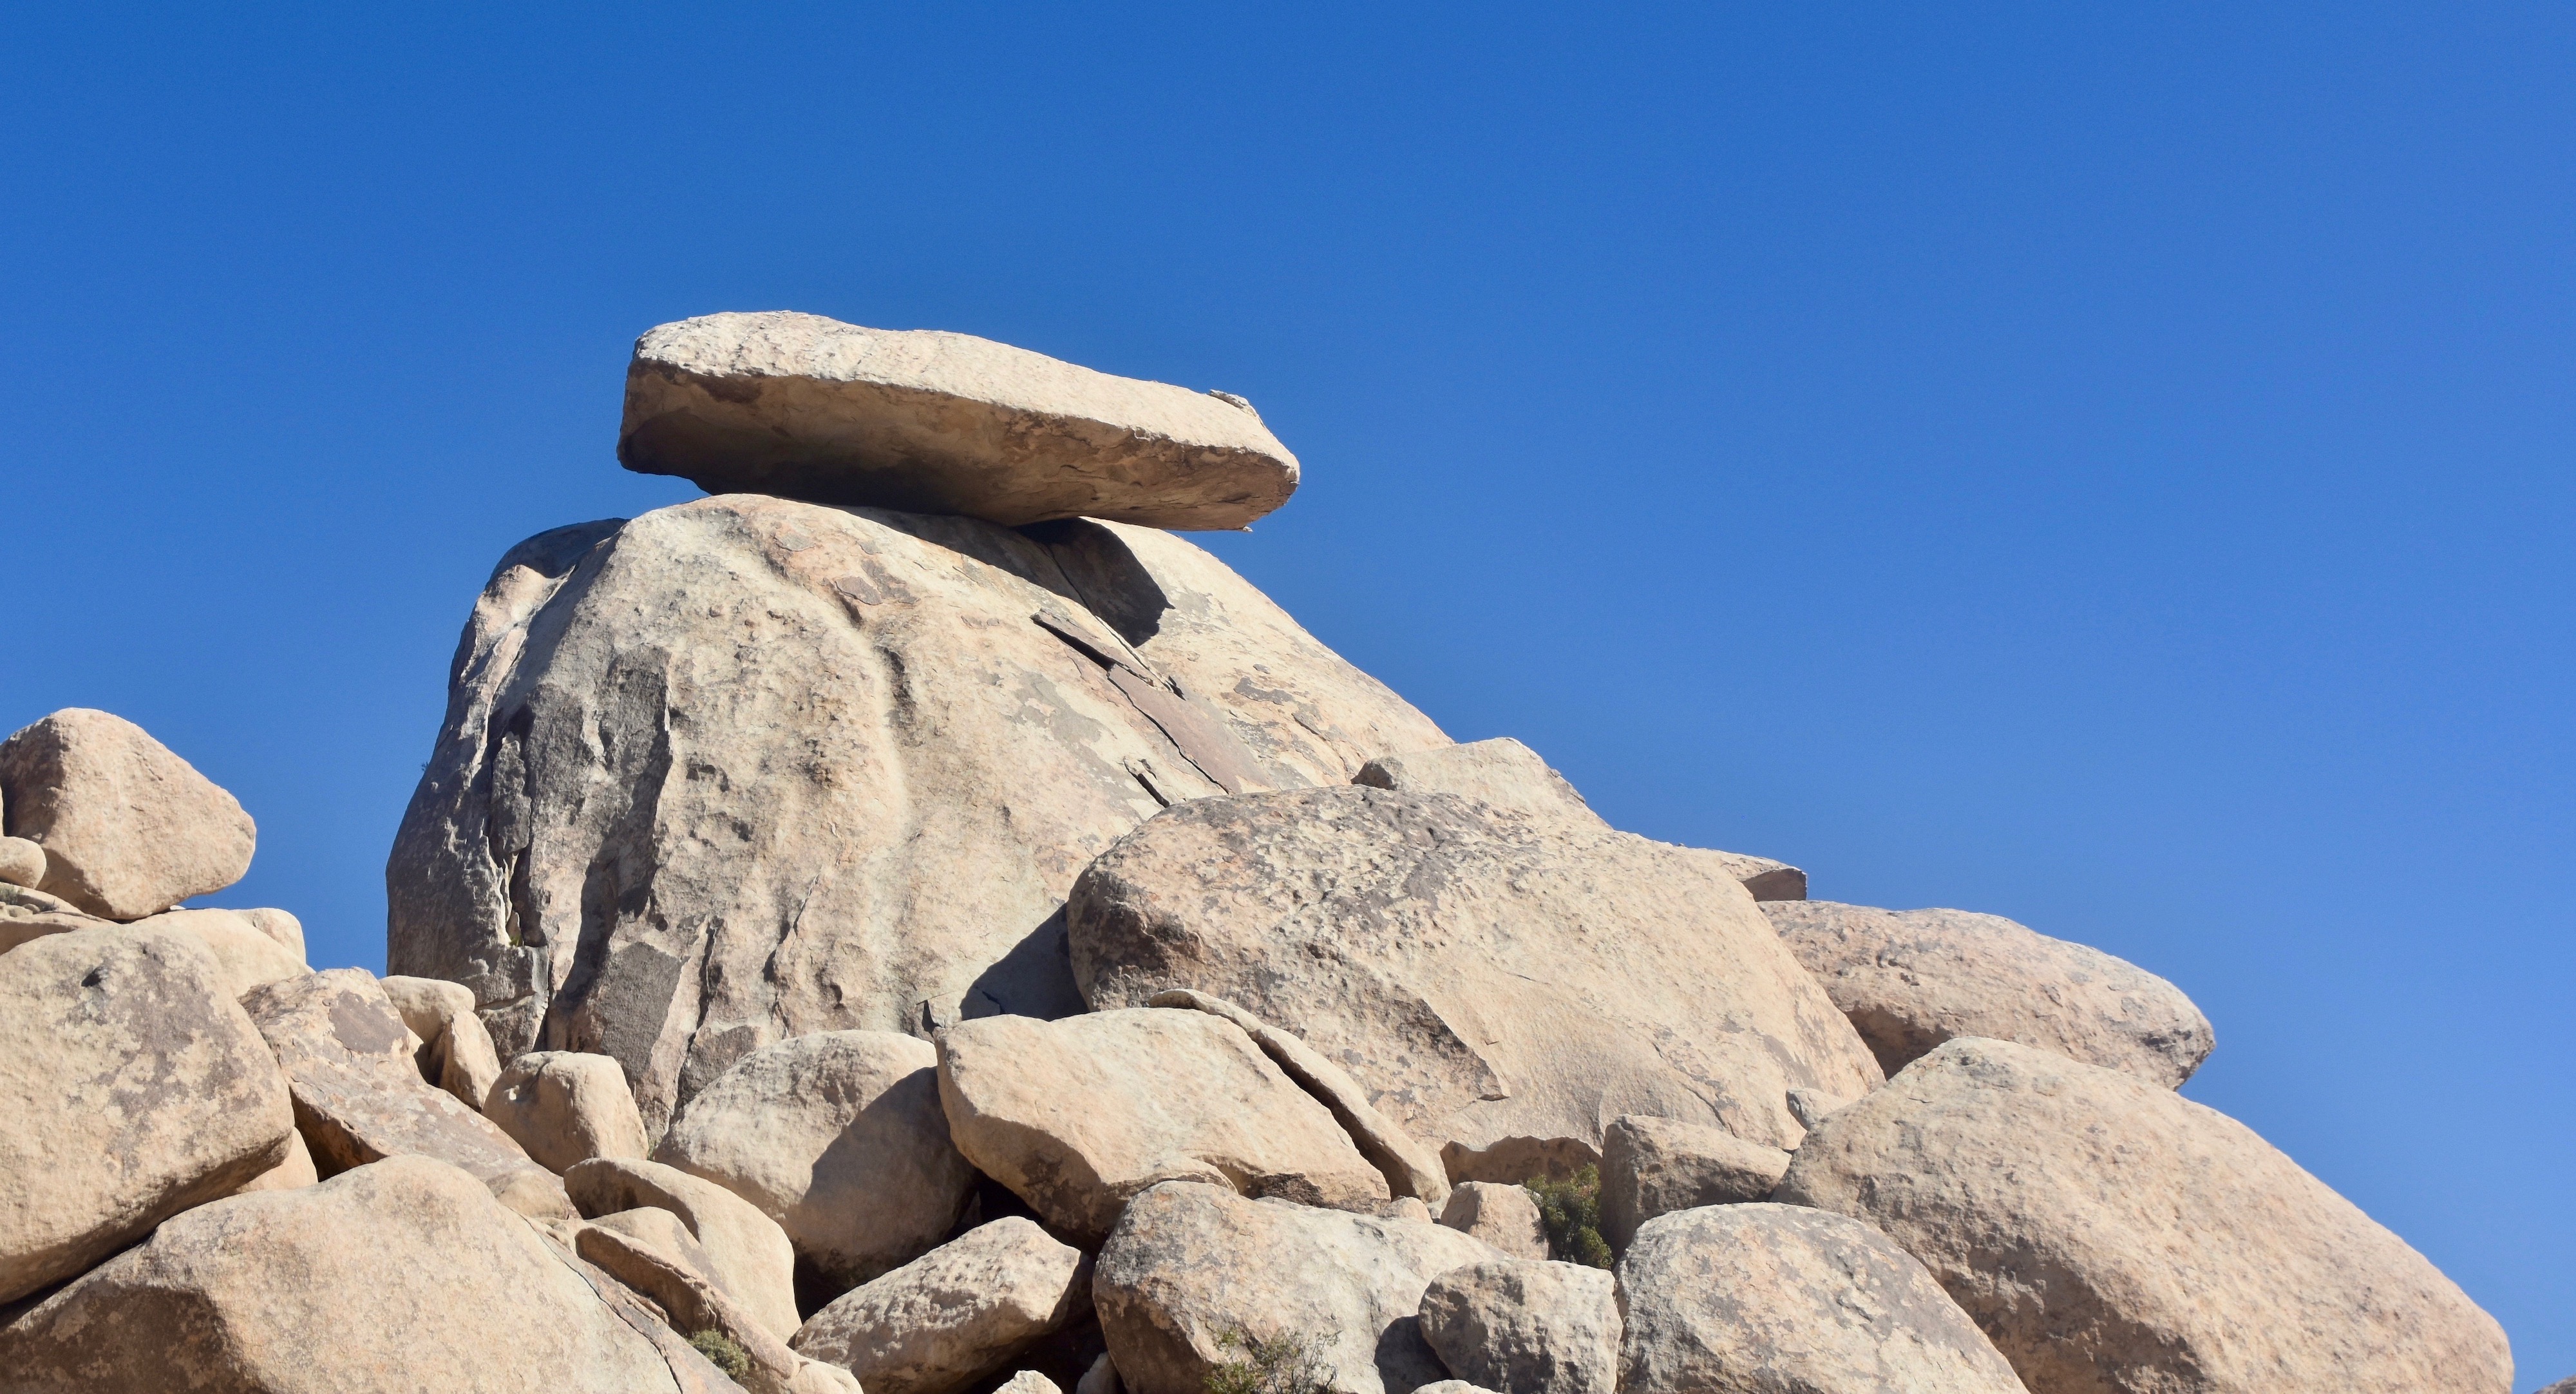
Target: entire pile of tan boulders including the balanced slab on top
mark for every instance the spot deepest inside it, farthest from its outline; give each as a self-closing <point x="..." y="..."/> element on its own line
<point x="918" y="926"/>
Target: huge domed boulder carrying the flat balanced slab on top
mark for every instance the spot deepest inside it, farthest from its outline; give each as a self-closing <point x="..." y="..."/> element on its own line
<point x="725" y="774"/>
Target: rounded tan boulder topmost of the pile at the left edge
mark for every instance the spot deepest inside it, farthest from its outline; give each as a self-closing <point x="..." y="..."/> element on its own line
<point x="128" y="828"/>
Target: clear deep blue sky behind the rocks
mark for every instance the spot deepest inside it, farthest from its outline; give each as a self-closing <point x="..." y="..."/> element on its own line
<point x="2096" y="465"/>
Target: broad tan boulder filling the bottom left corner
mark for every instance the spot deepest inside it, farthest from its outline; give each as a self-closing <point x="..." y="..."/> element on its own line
<point x="390" y="1279"/>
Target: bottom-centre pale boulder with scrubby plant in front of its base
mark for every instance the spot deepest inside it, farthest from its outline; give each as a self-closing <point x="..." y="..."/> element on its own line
<point x="1194" y="1264"/>
